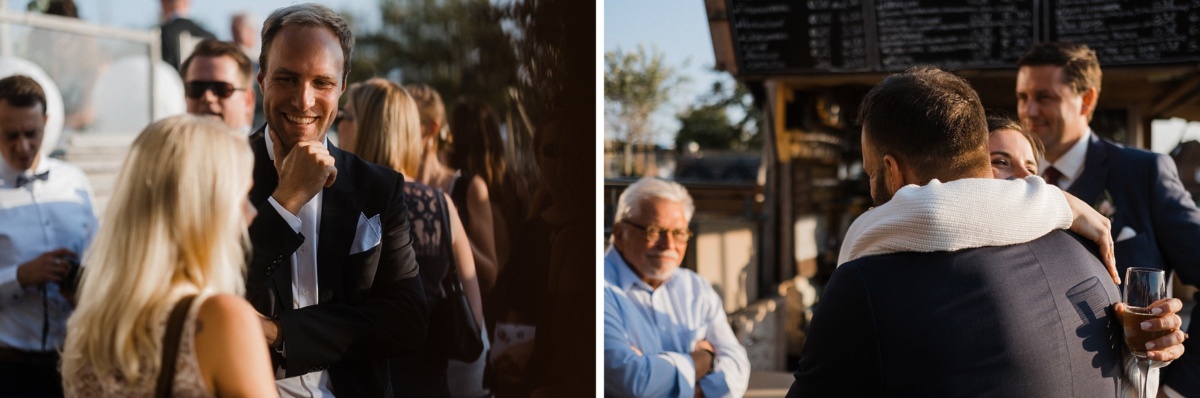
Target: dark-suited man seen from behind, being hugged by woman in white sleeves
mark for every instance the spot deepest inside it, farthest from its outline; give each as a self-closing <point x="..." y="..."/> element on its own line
<point x="1029" y="319"/>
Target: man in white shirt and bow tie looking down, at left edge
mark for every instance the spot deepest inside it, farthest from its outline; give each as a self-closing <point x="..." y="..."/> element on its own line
<point x="46" y="224"/>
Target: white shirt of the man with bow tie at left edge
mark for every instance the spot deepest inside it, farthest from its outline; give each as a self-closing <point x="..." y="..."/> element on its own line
<point x="41" y="216"/>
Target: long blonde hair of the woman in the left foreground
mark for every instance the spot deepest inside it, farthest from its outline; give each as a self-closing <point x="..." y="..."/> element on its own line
<point x="175" y="226"/>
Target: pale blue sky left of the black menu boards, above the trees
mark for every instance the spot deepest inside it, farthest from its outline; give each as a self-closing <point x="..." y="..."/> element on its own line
<point x="679" y="29"/>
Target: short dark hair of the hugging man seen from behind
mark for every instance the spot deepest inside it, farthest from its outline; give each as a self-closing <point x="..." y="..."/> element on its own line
<point x="932" y="120"/>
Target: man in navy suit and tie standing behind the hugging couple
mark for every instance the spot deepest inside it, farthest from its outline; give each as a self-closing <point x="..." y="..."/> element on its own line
<point x="1155" y="221"/>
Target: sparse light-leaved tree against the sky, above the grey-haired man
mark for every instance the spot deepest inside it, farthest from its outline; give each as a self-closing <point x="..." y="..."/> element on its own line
<point x="635" y="85"/>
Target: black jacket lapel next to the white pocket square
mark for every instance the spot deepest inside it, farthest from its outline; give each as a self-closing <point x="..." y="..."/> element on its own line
<point x="339" y="221"/>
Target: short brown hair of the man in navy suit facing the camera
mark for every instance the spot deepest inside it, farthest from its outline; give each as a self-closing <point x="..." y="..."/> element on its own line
<point x="1081" y="68"/>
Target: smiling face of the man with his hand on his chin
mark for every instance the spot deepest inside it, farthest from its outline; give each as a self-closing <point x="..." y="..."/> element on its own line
<point x="302" y="83"/>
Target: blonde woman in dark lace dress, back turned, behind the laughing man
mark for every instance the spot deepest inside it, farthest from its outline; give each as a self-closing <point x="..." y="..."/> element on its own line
<point x="383" y="125"/>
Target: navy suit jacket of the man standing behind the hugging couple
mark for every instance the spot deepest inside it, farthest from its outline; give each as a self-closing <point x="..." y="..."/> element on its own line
<point x="1150" y="200"/>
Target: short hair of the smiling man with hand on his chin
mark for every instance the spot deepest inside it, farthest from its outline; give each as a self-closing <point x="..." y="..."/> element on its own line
<point x="309" y="15"/>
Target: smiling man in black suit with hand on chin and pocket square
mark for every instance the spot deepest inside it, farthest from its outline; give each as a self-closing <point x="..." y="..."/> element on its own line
<point x="333" y="269"/>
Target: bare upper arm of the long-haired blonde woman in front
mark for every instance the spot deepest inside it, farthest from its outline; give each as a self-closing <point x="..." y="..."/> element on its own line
<point x="231" y="349"/>
